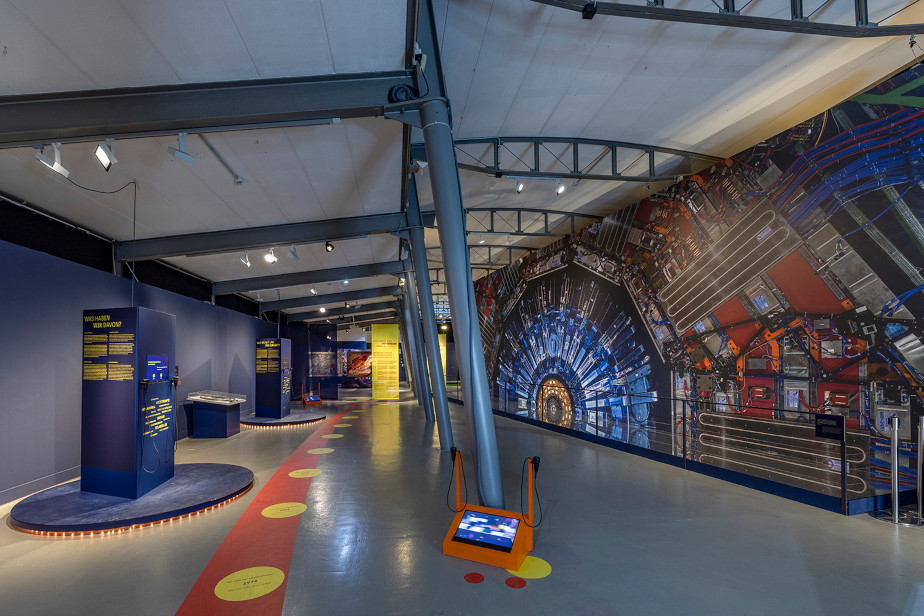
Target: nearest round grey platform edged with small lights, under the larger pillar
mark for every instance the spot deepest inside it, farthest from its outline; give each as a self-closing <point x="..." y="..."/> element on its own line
<point x="194" y="487"/>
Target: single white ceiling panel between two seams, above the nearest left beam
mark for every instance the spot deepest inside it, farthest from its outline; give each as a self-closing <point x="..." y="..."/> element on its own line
<point x="283" y="37"/>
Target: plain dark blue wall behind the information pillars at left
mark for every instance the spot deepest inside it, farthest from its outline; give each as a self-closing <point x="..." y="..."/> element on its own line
<point x="41" y="306"/>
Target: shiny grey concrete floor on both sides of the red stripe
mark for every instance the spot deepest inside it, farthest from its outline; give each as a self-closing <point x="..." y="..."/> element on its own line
<point x="623" y="535"/>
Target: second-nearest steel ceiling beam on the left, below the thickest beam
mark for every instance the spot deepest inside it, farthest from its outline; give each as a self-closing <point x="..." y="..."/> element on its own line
<point x="216" y="242"/>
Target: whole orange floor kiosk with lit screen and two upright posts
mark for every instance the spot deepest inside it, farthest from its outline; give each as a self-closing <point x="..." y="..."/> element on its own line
<point x="490" y="536"/>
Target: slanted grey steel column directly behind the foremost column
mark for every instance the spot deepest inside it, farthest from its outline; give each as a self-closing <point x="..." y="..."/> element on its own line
<point x="431" y="338"/>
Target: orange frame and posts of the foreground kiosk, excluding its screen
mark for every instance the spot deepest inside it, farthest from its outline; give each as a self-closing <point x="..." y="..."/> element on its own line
<point x="522" y="542"/>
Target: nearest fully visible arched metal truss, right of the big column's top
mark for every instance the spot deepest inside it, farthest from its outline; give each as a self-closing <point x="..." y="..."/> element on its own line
<point x="599" y="160"/>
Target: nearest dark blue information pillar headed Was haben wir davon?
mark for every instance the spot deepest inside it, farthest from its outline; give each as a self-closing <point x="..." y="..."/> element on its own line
<point x="128" y="401"/>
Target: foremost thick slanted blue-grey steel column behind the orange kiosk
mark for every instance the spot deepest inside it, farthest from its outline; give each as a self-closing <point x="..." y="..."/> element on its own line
<point x="450" y="218"/>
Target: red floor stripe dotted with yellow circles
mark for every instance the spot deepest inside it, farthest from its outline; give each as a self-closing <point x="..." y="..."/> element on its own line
<point x="257" y="541"/>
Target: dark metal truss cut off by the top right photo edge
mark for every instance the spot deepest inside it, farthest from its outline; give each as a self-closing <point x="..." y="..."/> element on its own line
<point x="729" y="16"/>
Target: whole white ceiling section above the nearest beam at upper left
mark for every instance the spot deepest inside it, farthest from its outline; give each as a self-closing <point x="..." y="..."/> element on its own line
<point x="62" y="45"/>
